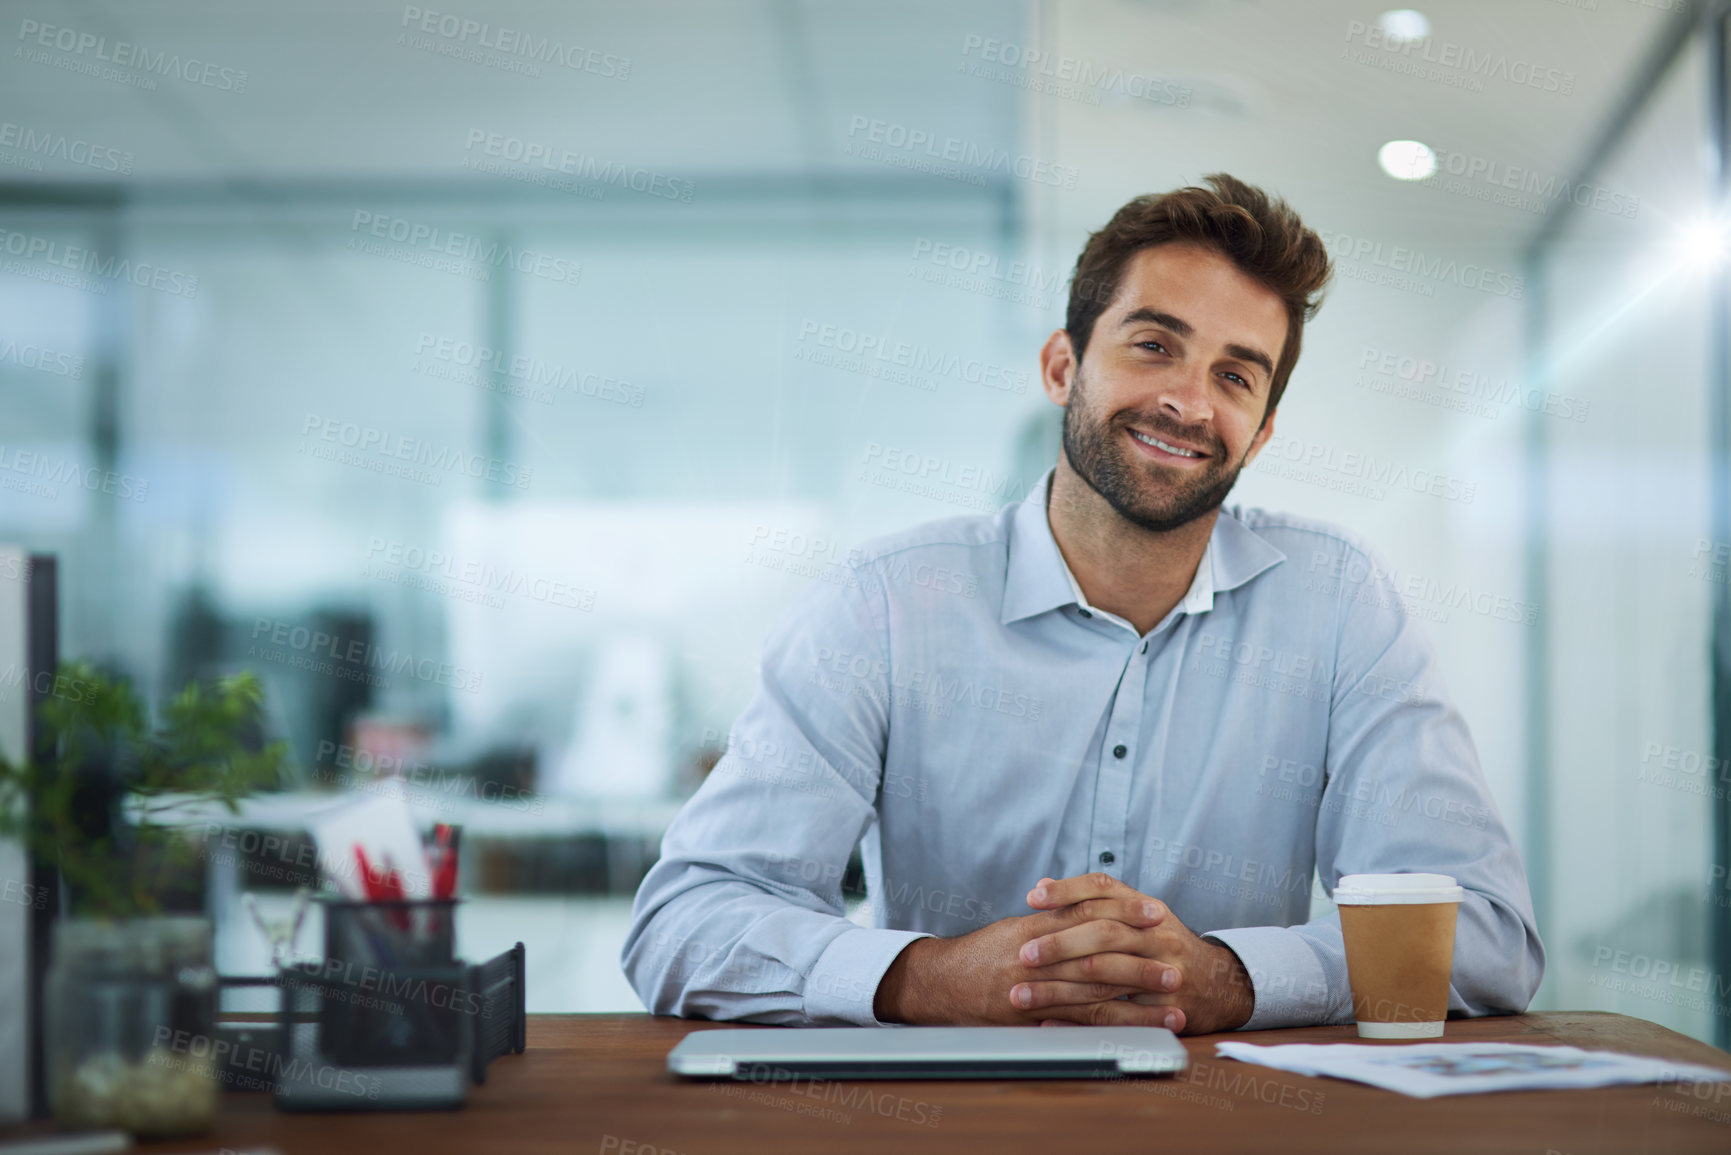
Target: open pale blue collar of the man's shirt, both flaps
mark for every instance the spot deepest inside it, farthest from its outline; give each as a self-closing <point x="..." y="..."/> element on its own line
<point x="1039" y="581"/>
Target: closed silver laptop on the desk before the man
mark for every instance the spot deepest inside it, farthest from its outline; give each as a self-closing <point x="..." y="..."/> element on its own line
<point x="927" y="1054"/>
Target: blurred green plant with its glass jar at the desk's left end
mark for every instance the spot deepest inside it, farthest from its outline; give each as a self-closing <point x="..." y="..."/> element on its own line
<point x="132" y="995"/>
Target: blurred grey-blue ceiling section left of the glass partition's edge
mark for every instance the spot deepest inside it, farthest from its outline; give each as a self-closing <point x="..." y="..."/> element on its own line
<point x="743" y="87"/>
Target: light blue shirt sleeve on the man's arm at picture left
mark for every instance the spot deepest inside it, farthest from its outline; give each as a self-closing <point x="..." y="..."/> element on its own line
<point x="743" y="917"/>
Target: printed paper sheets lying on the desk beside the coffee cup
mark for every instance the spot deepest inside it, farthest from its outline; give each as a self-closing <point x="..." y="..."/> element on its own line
<point x="1431" y="1069"/>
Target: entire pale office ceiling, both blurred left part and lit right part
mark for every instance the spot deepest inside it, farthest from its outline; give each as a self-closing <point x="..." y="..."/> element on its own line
<point x="769" y="89"/>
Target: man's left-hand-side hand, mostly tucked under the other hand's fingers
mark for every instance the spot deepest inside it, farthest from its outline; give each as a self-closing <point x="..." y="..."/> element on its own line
<point x="968" y="981"/>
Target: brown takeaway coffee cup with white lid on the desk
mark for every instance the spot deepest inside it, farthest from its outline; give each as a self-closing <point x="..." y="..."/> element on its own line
<point x="1400" y="934"/>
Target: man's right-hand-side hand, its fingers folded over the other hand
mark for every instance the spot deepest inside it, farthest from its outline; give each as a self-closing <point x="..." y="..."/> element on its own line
<point x="1164" y="967"/>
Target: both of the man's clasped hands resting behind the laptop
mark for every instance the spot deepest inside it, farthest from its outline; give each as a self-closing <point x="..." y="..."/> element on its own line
<point x="1095" y="953"/>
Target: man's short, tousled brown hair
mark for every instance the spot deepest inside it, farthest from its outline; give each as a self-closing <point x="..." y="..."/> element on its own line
<point x="1261" y="236"/>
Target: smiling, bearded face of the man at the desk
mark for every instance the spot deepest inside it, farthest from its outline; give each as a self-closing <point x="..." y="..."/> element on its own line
<point x="1168" y="406"/>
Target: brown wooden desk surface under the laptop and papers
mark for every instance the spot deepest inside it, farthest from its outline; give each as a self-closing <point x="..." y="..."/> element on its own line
<point x="598" y="1083"/>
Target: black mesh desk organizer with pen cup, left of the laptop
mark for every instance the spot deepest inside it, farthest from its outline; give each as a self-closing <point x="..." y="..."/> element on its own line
<point x="392" y="1019"/>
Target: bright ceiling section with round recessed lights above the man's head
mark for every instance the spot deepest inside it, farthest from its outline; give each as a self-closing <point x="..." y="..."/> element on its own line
<point x="1278" y="105"/>
